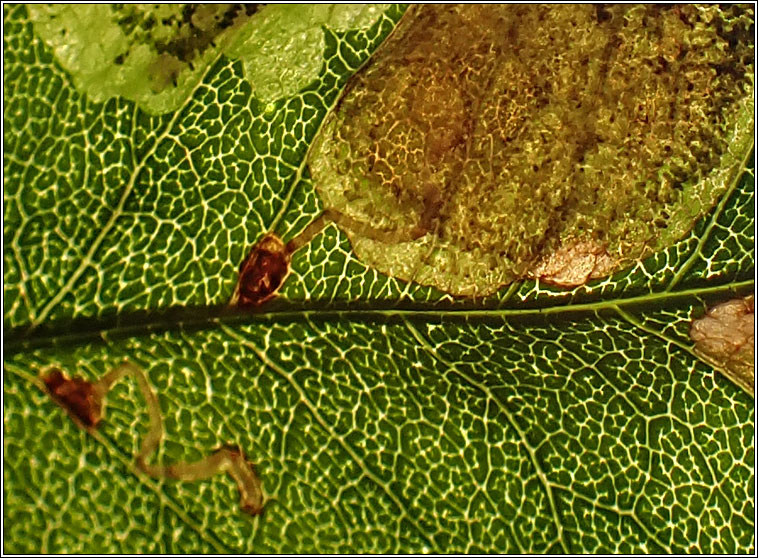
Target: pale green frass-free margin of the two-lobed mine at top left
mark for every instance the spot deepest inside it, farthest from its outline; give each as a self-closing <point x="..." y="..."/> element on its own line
<point x="281" y="49"/>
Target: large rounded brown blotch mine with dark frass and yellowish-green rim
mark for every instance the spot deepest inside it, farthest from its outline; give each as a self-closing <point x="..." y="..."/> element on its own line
<point x="498" y="142"/>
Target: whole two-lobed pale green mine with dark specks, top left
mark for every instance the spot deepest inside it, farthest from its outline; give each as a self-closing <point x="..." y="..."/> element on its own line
<point x="155" y="54"/>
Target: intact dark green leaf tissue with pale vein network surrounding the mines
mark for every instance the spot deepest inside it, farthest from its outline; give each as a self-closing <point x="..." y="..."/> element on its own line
<point x="382" y="416"/>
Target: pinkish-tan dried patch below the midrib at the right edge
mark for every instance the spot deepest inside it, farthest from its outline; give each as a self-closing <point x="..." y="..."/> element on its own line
<point x="725" y="336"/>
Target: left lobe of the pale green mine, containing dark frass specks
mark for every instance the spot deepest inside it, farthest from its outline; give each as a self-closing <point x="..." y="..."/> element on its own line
<point x="152" y="54"/>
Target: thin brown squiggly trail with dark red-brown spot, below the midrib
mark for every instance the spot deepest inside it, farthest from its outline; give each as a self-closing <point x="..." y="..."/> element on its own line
<point x="84" y="401"/>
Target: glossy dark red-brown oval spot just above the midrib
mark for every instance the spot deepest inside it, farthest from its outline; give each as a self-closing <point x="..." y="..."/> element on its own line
<point x="262" y="272"/>
